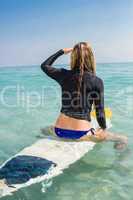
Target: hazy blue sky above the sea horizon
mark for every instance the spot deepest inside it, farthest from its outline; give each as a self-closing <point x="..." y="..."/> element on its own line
<point x="31" y="30"/>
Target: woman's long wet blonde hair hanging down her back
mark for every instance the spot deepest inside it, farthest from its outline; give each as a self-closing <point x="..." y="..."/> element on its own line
<point x="82" y="58"/>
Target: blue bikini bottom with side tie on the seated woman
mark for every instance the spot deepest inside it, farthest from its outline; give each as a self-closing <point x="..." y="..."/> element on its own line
<point x="72" y="134"/>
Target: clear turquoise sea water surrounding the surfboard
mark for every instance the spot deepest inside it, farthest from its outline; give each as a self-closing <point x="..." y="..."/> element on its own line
<point x="29" y="100"/>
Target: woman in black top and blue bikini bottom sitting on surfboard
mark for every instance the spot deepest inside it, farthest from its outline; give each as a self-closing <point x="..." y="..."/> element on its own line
<point x="81" y="89"/>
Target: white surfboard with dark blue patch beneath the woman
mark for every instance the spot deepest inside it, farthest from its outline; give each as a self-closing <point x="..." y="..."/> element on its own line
<point x="45" y="159"/>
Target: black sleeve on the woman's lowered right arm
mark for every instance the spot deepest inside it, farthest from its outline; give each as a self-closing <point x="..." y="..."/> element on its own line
<point x="99" y="104"/>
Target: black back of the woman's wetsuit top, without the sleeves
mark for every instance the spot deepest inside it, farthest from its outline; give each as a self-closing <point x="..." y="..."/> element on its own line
<point x="77" y="104"/>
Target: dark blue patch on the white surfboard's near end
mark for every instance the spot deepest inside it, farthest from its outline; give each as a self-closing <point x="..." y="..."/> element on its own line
<point x="21" y="169"/>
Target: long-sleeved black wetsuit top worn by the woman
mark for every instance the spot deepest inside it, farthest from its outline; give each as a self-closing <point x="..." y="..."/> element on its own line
<point x="91" y="91"/>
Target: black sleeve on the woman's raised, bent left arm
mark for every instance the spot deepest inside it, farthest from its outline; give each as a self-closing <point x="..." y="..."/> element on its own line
<point x="54" y="73"/>
